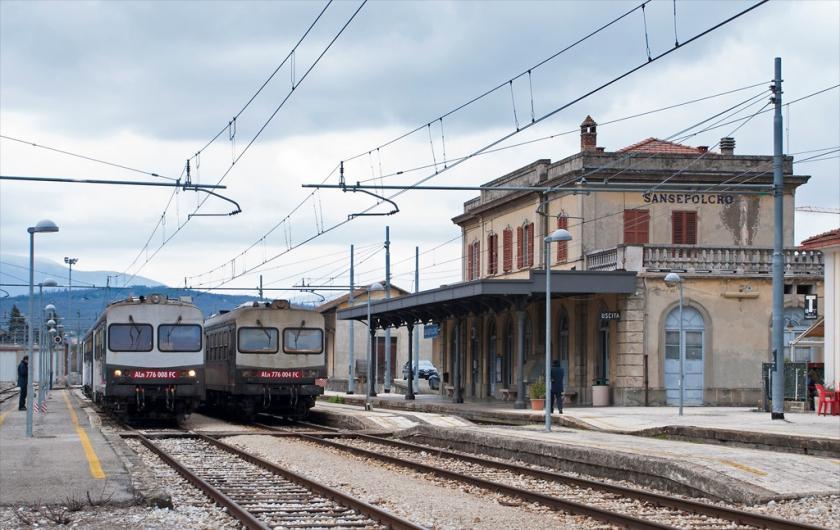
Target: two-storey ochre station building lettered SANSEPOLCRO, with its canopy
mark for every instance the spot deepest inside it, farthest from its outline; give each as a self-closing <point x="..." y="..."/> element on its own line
<point x="634" y="215"/>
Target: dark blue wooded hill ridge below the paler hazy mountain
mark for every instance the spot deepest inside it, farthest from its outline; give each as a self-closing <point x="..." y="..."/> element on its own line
<point x="89" y="303"/>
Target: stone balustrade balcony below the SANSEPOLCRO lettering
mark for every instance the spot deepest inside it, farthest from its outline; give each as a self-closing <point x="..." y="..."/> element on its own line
<point x="704" y="260"/>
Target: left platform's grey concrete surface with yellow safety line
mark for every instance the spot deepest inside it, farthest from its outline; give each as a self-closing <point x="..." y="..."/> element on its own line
<point x="66" y="458"/>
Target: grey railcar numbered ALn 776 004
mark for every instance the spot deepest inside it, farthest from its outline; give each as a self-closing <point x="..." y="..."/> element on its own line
<point x="264" y="357"/>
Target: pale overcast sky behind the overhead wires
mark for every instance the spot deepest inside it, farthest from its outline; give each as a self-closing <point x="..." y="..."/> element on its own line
<point x="147" y="84"/>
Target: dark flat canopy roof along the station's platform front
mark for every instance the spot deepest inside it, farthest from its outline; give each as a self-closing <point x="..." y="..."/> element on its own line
<point x="486" y="295"/>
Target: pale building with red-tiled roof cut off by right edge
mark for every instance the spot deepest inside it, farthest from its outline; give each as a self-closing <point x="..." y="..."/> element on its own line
<point x="829" y="244"/>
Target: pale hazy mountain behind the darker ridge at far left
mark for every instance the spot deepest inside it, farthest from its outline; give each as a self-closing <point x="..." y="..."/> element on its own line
<point x="15" y="269"/>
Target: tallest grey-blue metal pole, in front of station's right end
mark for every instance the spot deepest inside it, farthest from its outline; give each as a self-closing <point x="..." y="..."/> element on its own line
<point x="778" y="406"/>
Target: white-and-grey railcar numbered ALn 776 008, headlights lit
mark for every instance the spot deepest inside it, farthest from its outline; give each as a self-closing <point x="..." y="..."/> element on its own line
<point x="144" y="358"/>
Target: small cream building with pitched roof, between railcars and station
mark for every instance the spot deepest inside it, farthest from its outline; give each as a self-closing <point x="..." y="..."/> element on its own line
<point x="338" y="341"/>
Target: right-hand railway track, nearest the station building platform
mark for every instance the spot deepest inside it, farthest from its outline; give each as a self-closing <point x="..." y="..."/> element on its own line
<point x="617" y="505"/>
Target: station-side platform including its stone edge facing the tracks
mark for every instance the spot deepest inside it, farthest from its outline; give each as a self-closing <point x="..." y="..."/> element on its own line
<point x="603" y="448"/>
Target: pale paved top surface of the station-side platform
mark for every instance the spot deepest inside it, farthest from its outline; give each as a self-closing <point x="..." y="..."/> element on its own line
<point x="765" y="473"/>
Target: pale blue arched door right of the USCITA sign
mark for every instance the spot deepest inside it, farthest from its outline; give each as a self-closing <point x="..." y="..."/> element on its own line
<point x="693" y="330"/>
